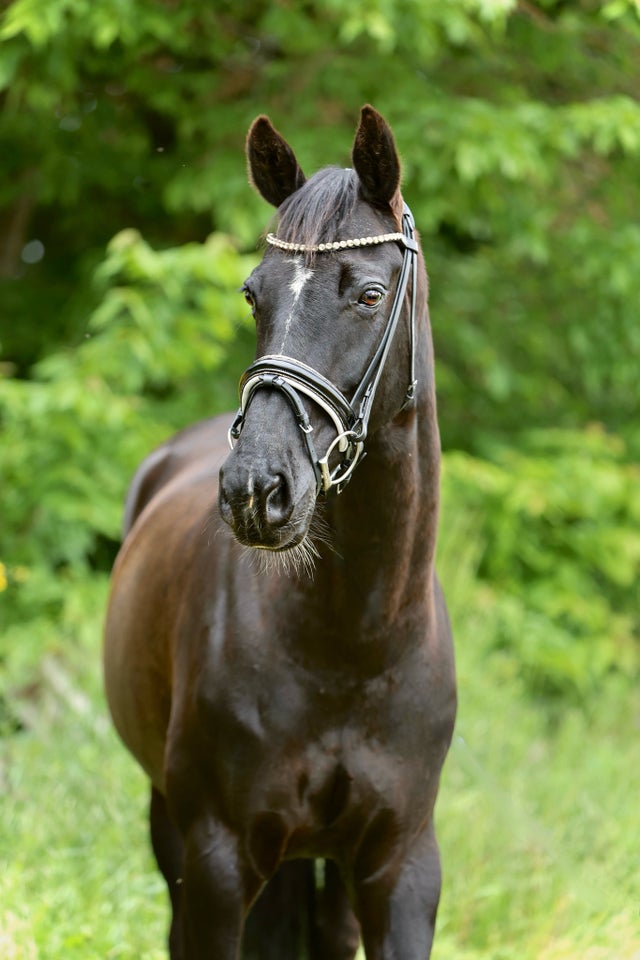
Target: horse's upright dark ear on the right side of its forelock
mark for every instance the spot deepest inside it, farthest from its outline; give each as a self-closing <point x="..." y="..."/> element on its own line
<point x="375" y="160"/>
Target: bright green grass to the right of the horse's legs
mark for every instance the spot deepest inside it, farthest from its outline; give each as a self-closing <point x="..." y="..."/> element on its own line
<point x="538" y="824"/>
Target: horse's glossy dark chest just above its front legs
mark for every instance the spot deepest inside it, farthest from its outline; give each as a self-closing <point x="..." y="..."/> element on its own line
<point x="300" y="766"/>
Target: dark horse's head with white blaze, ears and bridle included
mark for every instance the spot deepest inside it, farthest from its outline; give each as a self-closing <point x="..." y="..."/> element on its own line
<point x="334" y="332"/>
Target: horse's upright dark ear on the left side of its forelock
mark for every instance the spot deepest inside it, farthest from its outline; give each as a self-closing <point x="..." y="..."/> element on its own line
<point x="273" y="168"/>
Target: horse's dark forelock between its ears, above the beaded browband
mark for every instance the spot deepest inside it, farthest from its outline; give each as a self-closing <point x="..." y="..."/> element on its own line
<point x="315" y="212"/>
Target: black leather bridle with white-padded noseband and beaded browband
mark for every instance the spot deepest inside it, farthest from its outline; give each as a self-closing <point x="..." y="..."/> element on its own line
<point x="297" y="380"/>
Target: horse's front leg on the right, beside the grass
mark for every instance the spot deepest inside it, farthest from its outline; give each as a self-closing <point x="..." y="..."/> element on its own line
<point x="398" y="916"/>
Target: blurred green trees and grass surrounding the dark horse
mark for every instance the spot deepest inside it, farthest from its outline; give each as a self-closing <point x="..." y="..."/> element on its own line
<point x="127" y="226"/>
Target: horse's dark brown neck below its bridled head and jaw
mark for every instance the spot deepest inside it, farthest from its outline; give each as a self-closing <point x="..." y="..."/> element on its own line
<point x="376" y="575"/>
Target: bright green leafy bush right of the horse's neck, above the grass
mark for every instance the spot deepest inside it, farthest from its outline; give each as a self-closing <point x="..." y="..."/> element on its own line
<point x="558" y="519"/>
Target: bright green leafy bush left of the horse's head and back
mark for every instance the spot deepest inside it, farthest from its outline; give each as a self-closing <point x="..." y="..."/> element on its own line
<point x="163" y="347"/>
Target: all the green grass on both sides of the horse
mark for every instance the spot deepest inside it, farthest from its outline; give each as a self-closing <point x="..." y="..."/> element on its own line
<point x="537" y="820"/>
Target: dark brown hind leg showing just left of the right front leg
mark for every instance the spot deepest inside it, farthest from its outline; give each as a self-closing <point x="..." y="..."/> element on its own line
<point x="336" y="933"/>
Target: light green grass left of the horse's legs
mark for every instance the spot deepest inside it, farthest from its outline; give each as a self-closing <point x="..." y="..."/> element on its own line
<point x="78" y="880"/>
